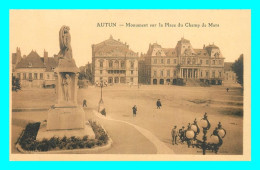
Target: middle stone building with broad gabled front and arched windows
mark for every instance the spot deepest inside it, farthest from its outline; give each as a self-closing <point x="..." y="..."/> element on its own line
<point x="114" y="62"/>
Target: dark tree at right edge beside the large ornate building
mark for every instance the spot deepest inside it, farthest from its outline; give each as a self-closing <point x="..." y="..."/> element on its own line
<point x="238" y="68"/>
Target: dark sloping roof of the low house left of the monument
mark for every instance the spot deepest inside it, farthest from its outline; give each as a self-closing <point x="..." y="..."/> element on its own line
<point x="32" y="60"/>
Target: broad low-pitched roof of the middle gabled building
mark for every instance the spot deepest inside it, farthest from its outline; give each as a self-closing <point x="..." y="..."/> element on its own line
<point x="113" y="48"/>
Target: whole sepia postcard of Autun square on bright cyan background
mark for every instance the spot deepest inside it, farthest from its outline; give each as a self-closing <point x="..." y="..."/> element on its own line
<point x="166" y="85"/>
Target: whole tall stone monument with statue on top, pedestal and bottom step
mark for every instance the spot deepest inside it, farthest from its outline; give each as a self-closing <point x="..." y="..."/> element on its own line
<point x="66" y="117"/>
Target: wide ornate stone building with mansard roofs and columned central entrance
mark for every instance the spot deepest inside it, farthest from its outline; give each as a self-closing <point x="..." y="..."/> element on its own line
<point x="184" y="63"/>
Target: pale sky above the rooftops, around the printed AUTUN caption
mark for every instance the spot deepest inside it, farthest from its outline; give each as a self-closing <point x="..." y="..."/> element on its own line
<point x="39" y="30"/>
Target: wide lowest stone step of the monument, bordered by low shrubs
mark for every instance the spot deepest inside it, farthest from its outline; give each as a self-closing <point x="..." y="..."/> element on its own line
<point x="43" y="133"/>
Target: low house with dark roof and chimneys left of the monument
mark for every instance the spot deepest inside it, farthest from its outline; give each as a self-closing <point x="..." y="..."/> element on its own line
<point x="35" y="71"/>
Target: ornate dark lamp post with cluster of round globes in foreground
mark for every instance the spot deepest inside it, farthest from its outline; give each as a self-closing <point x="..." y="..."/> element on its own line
<point x="216" y="138"/>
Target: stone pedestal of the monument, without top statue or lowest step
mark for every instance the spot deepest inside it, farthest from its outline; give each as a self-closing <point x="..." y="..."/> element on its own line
<point x="66" y="114"/>
